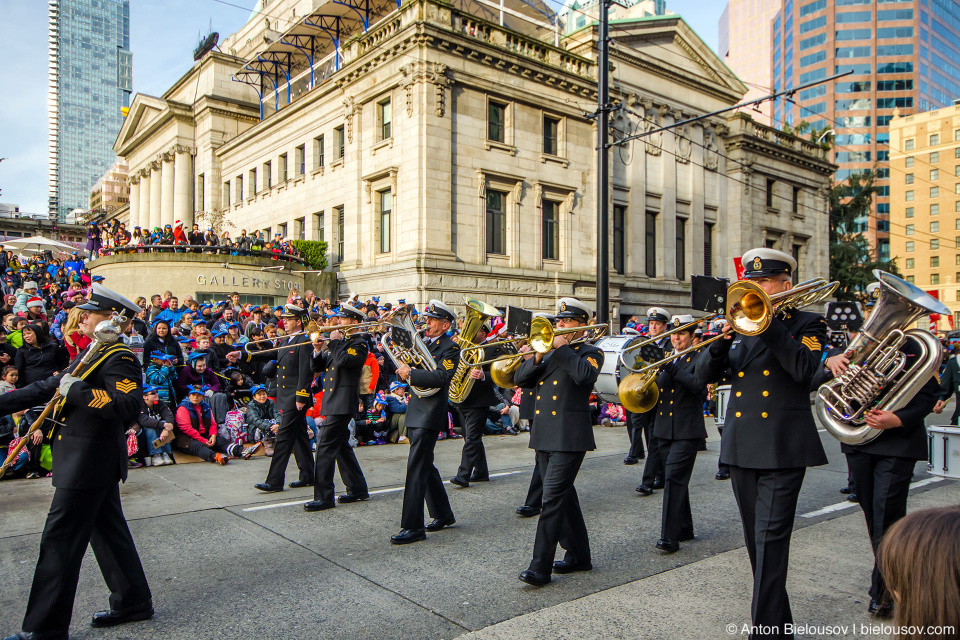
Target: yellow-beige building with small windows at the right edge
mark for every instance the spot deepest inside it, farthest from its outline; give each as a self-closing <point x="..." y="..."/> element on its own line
<point x="925" y="202"/>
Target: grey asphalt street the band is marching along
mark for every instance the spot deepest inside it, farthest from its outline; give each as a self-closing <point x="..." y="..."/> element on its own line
<point x="225" y="561"/>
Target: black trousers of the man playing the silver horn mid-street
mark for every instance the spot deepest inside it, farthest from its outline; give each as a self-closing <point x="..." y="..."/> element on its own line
<point x="423" y="482"/>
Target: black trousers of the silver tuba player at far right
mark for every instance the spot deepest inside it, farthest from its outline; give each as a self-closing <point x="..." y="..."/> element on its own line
<point x="883" y="484"/>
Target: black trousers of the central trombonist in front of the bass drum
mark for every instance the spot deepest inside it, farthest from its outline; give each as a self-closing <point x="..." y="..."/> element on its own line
<point x="561" y="521"/>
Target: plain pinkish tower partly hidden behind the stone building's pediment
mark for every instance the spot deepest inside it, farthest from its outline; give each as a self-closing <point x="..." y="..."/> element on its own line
<point x="745" y="45"/>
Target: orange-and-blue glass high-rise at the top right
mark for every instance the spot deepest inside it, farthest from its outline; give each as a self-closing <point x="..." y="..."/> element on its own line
<point x="903" y="54"/>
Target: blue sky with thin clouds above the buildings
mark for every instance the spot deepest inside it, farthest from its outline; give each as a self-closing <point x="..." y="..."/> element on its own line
<point x="163" y="34"/>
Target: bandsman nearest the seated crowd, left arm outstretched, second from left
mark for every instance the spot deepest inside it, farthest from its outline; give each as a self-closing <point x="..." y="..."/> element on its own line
<point x="294" y="377"/>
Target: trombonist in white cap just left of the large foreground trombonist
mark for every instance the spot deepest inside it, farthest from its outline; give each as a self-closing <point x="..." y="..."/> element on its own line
<point x="679" y="429"/>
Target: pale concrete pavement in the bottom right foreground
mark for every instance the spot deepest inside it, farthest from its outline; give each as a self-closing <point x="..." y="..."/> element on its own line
<point x="830" y="565"/>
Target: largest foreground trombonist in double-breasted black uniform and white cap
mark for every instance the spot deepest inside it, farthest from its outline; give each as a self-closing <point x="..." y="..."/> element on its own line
<point x="770" y="436"/>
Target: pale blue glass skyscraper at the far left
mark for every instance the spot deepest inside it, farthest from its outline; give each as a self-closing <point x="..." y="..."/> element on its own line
<point x="90" y="80"/>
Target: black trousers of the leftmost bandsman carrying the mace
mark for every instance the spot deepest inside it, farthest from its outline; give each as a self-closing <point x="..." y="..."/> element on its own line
<point x="78" y="518"/>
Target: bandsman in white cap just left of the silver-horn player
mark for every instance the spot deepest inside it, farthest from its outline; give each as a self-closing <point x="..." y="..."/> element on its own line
<point x="341" y="359"/>
